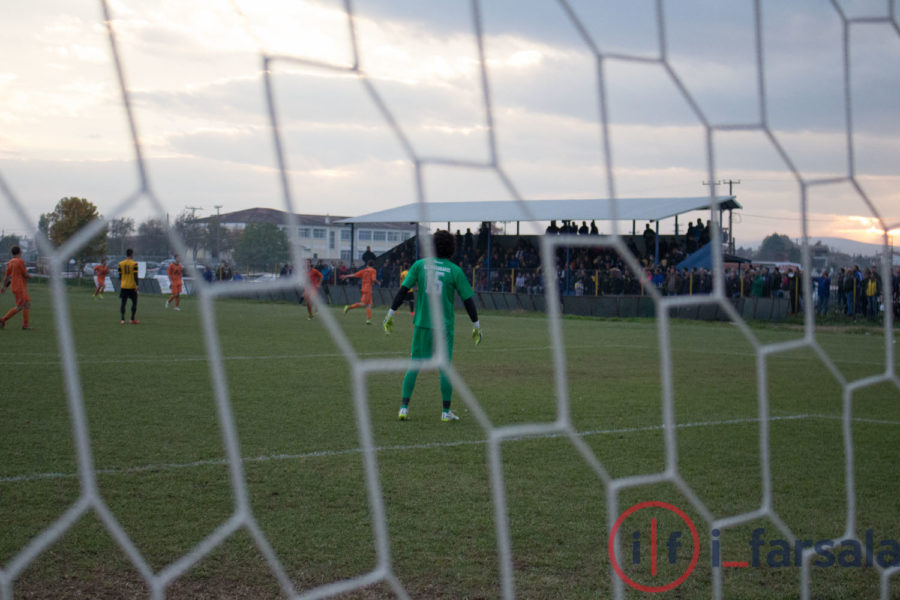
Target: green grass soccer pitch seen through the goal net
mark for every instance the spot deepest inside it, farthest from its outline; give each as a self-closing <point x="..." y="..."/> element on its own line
<point x="162" y="470"/>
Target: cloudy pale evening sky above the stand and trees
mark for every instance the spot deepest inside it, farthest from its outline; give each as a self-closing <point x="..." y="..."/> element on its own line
<point x="798" y="102"/>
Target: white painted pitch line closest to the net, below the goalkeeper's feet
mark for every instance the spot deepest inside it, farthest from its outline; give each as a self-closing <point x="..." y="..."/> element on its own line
<point x="430" y="446"/>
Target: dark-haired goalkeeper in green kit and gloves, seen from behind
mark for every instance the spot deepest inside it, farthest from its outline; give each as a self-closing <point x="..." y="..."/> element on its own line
<point x="434" y="276"/>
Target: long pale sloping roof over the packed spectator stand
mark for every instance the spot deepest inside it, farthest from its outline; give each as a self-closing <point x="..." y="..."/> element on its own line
<point x="601" y="209"/>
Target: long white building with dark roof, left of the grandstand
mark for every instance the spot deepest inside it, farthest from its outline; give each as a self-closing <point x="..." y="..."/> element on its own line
<point x="322" y="236"/>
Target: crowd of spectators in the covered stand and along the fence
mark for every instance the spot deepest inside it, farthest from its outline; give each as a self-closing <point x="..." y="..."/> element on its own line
<point x="513" y="264"/>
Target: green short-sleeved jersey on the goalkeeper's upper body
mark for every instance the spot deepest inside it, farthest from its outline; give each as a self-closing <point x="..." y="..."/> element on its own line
<point x="437" y="276"/>
